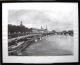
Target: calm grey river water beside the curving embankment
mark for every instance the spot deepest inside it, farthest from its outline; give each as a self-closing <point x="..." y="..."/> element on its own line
<point x="54" y="45"/>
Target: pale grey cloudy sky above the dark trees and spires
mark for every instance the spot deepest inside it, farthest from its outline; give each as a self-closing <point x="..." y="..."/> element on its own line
<point x="36" y="19"/>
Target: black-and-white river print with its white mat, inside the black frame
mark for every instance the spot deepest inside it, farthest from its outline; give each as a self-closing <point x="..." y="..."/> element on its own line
<point x="46" y="30"/>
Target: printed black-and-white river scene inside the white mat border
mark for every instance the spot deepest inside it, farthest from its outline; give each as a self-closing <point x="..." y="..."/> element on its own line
<point x="32" y="32"/>
